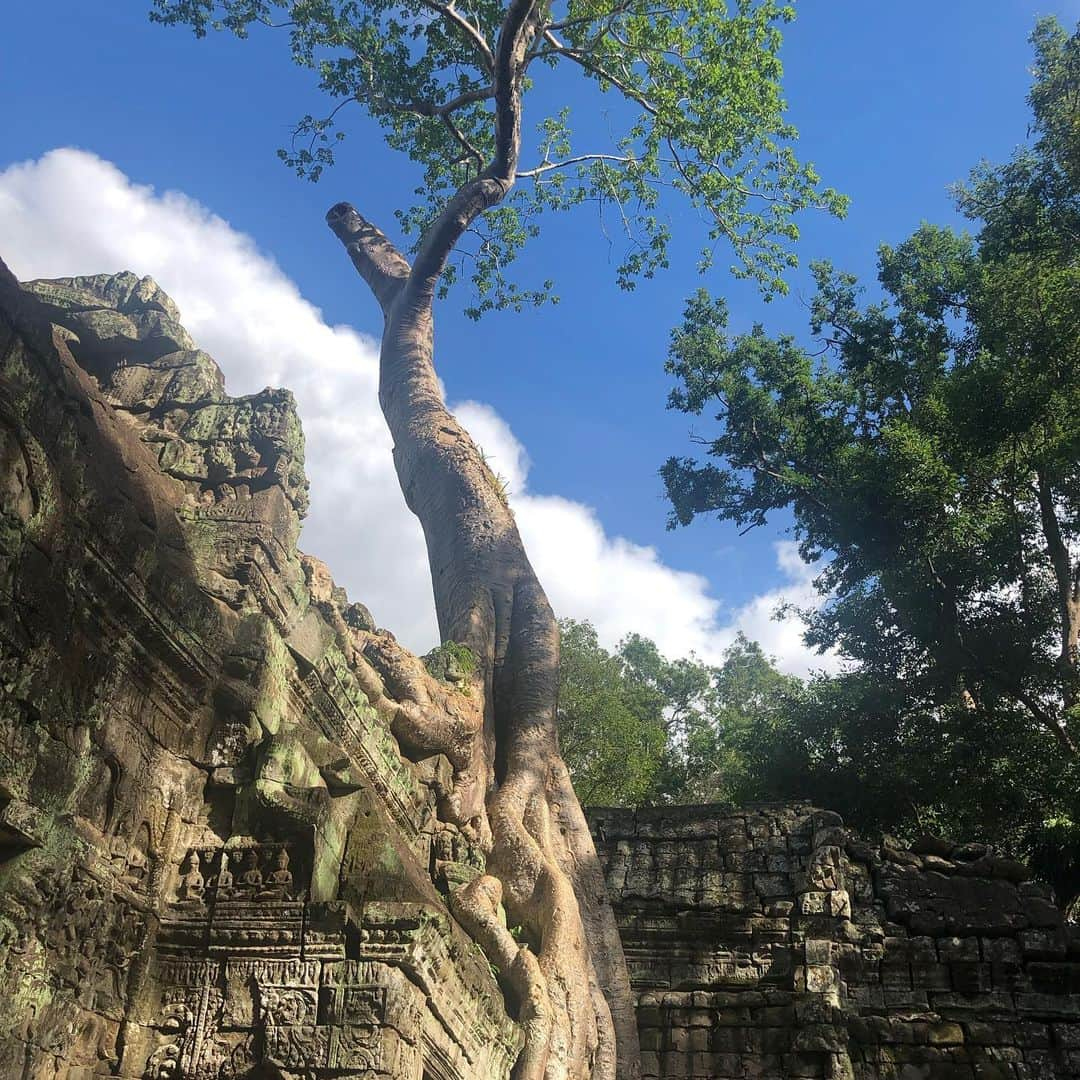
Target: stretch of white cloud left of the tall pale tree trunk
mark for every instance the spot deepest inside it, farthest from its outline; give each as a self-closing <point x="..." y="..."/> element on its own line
<point x="71" y="213"/>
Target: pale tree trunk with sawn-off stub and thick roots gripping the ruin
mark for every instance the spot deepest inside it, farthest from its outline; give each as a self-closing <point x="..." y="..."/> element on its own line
<point x="512" y="789"/>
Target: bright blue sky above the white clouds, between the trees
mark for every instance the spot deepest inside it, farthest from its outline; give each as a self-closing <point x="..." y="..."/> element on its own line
<point x="894" y="103"/>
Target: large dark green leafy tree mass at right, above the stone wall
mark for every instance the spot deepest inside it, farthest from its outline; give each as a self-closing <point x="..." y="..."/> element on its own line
<point x="929" y="451"/>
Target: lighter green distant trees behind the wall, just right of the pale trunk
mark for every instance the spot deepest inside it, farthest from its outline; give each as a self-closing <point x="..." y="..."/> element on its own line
<point x="639" y="730"/>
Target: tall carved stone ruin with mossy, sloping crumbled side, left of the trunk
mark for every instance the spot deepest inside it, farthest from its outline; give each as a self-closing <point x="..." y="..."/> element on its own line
<point x="214" y="860"/>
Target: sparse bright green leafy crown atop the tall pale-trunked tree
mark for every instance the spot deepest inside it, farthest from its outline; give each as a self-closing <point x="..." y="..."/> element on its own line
<point x="697" y="107"/>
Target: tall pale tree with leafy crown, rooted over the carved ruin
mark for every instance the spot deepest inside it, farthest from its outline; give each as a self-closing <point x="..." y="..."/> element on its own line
<point x="698" y="88"/>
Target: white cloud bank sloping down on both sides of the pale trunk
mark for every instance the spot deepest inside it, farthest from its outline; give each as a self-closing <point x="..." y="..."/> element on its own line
<point x="72" y="213"/>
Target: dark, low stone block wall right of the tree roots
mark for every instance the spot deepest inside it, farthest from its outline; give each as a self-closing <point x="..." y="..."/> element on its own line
<point x="771" y="943"/>
